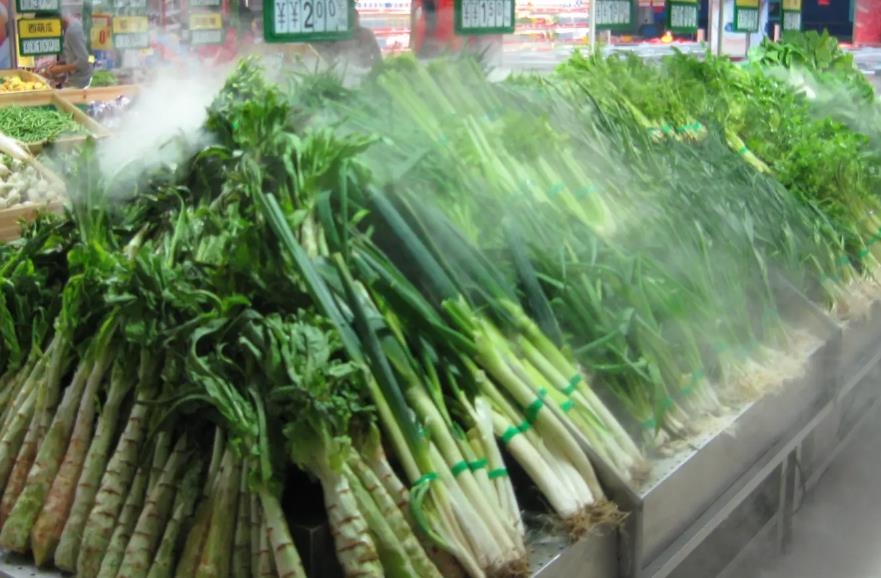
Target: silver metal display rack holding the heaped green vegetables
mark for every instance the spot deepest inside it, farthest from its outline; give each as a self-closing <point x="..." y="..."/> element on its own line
<point x="732" y="493"/>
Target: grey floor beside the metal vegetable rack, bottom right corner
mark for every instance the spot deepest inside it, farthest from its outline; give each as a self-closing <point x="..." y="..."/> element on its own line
<point x="837" y="531"/>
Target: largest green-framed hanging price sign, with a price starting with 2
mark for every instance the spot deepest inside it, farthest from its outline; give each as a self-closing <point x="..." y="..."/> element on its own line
<point x="307" y="20"/>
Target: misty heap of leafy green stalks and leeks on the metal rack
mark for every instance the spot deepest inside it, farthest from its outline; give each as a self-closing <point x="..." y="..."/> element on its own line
<point x="427" y="319"/>
